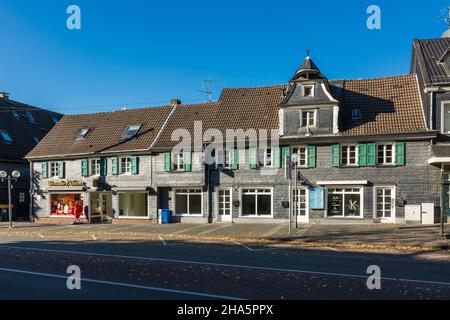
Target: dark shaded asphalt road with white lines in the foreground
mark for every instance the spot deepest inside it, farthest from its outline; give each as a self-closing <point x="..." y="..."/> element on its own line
<point x="36" y="269"/>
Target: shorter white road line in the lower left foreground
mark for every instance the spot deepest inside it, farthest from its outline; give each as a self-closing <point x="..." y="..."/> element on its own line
<point x="127" y="285"/>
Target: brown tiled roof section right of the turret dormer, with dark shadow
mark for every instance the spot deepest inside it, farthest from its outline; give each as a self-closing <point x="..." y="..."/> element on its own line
<point x="388" y="105"/>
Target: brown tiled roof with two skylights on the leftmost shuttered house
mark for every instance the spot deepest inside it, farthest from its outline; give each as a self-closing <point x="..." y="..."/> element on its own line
<point x="105" y="131"/>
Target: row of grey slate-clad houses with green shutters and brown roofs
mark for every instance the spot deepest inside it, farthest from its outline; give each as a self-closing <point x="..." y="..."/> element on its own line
<point x="364" y="152"/>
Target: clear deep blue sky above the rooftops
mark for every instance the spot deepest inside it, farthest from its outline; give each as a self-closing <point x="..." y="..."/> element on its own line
<point x="138" y="53"/>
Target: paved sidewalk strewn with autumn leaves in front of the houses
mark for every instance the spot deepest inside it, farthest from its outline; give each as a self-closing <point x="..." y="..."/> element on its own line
<point x="360" y="237"/>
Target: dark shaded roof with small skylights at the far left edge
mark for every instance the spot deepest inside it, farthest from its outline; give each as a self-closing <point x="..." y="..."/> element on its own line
<point x="21" y="130"/>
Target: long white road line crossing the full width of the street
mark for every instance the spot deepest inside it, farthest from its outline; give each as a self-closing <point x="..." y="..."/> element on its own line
<point x="217" y="264"/>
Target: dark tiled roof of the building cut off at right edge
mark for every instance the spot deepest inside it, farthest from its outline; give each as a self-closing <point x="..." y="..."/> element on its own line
<point x="429" y="53"/>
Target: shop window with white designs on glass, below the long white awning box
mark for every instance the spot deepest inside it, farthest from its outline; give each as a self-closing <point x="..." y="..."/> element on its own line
<point x="344" y="202"/>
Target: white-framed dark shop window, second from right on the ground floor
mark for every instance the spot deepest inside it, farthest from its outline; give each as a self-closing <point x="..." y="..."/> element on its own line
<point x="256" y="202"/>
